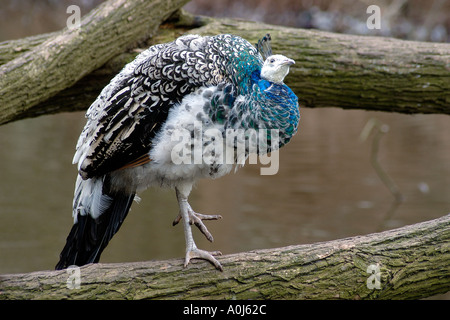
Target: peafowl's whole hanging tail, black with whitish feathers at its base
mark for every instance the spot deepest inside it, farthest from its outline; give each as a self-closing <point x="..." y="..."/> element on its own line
<point x="98" y="215"/>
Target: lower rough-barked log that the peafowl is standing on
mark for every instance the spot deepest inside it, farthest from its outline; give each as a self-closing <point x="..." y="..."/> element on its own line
<point x="406" y="263"/>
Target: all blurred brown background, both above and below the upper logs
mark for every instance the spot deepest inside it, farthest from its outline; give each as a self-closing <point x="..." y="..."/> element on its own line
<point x="326" y="187"/>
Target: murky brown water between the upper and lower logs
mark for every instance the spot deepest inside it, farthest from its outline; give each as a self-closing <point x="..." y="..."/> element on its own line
<point x="326" y="188"/>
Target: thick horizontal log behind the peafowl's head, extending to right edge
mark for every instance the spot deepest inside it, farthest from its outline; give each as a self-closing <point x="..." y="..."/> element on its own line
<point x="356" y="72"/>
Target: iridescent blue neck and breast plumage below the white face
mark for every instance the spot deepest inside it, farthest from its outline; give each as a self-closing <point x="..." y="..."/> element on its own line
<point x="262" y="105"/>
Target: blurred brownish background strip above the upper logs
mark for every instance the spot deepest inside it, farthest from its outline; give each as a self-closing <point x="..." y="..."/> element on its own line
<point x="405" y="19"/>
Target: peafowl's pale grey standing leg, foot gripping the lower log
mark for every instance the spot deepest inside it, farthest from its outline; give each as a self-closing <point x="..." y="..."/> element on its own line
<point x="192" y="252"/>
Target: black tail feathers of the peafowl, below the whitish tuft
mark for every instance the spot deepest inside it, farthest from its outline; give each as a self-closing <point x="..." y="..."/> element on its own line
<point x="89" y="237"/>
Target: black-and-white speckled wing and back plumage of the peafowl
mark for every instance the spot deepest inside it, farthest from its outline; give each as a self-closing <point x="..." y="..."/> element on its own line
<point x="129" y="111"/>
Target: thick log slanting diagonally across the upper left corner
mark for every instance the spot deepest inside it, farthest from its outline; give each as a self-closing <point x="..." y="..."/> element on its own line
<point x="67" y="56"/>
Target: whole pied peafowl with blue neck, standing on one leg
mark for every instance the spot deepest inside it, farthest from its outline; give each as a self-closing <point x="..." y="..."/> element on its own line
<point x="164" y="121"/>
